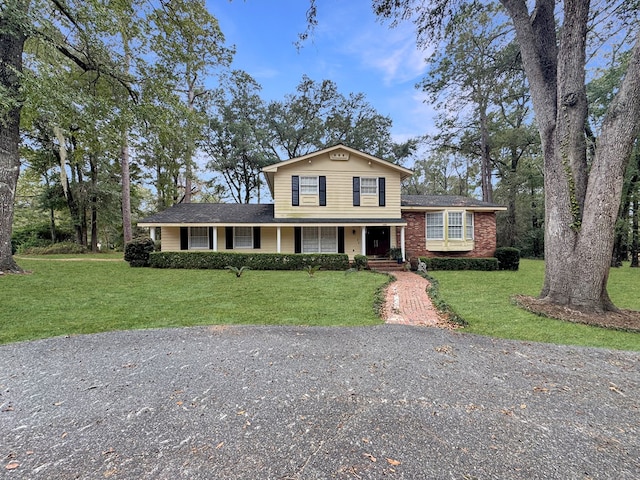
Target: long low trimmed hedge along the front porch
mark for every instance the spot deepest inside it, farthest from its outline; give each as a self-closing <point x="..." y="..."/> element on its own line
<point x="254" y="261"/>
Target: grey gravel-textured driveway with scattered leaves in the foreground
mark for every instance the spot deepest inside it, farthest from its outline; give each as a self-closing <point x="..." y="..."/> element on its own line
<point x="311" y="403"/>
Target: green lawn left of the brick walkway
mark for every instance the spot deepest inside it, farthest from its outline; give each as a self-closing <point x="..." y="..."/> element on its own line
<point x="88" y="296"/>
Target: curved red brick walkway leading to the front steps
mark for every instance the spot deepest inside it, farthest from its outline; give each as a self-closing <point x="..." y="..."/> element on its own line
<point x="407" y="302"/>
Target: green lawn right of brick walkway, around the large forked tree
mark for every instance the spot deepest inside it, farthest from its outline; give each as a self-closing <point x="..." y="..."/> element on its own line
<point x="483" y="300"/>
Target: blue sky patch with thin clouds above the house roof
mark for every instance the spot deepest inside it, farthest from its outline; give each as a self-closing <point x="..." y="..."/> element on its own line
<point x="349" y="46"/>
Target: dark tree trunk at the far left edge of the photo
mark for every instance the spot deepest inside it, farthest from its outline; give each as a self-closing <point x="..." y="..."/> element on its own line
<point x="12" y="38"/>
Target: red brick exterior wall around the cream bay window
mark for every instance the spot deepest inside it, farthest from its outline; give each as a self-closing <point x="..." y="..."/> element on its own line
<point x="484" y="232"/>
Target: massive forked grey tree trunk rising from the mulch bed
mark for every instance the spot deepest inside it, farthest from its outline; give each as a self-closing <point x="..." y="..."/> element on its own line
<point x="580" y="213"/>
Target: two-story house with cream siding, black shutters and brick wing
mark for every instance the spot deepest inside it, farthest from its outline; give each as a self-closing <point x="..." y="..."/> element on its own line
<point x="336" y="200"/>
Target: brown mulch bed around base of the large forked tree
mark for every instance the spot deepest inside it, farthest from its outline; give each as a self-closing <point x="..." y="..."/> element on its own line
<point x="627" y="320"/>
